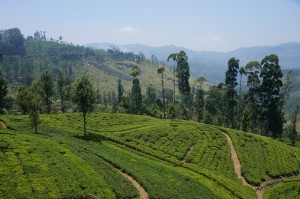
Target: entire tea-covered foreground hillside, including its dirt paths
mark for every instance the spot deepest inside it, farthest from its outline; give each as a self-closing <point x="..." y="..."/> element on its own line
<point x="167" y="159"/>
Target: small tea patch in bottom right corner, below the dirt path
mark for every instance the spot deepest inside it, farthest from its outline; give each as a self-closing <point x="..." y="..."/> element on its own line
<point x="287" y="189"/>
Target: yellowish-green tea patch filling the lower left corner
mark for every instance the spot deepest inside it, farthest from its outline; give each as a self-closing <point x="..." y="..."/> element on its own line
<point x="32" y="167"/>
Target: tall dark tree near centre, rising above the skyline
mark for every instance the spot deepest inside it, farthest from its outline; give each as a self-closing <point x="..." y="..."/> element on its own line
<point x="182" y="74"/>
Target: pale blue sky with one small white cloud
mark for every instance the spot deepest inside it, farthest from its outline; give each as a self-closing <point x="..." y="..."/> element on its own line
<point x="203" y="25"/>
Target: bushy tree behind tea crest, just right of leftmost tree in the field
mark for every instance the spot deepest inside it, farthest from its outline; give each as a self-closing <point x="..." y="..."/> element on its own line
<point x="46" y="89"/>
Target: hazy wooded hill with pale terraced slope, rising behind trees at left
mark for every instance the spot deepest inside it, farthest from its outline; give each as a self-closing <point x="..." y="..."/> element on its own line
<point x="23" y="61"/>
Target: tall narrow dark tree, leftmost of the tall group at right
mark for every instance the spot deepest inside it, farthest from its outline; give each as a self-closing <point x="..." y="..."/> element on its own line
<point x="231" y="94"/>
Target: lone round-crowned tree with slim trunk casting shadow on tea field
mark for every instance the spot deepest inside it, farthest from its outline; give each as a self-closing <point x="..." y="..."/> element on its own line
<point x="84" y="97"/>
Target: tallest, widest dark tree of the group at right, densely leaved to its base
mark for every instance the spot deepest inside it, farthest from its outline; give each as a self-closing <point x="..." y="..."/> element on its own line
<point x="271" y="85"/>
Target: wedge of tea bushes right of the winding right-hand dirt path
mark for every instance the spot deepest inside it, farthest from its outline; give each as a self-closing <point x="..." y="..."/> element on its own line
<point x="262" y="157"/>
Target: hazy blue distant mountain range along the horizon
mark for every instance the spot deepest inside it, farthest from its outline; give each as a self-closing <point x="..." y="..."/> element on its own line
<point x="212" y="65"/>
